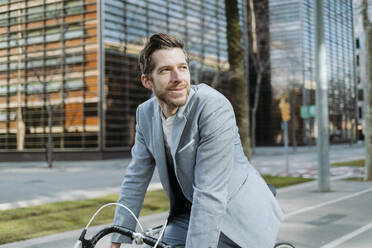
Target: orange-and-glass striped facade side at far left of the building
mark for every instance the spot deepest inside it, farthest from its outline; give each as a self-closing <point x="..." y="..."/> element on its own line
<point x="48" y="59"/>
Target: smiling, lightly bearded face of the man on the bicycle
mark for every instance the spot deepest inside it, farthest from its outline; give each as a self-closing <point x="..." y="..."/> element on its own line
<point x="170" y="78"/>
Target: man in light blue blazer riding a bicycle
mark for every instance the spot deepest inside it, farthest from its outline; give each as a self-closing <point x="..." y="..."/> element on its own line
<point x="217" y="198"/>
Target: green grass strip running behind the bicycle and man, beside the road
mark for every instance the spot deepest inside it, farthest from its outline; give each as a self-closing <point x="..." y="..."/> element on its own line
<point x="31" y="222"/>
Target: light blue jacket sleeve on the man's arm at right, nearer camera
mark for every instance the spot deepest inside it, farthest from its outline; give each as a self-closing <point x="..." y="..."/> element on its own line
<point x="213" y="167"/>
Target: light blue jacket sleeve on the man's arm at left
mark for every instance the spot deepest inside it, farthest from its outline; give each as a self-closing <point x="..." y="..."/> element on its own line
<point x="134" y="186"/>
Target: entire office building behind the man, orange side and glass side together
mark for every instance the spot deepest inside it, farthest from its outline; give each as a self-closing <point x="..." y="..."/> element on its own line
<point x="78" y="58"/>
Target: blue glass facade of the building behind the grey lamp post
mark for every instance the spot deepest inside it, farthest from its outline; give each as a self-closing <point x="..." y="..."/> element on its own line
<point x="292" y="29"/>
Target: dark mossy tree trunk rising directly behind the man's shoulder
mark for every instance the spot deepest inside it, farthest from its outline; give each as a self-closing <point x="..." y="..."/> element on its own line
<point x="237" y="81"/>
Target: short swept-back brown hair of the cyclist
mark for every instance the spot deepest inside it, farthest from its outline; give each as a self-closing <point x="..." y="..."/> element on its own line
<point x="156" y="42"/>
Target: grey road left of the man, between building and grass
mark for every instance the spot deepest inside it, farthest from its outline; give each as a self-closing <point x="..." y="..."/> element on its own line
<point x="25" y="184"/>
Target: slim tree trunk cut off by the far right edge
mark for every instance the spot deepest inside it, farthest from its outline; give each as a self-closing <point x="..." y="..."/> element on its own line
<point x="367" y="25"/>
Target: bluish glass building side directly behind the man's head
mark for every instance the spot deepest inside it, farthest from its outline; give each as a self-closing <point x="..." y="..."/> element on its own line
<point x="201" y="24"/>
